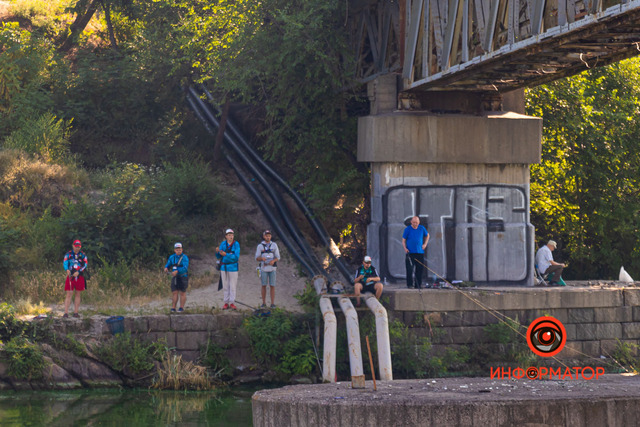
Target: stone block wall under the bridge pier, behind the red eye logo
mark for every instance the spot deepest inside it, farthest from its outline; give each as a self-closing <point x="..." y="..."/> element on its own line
<point x="594" y="319"/>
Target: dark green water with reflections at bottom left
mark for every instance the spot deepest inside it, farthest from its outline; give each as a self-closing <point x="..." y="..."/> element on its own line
<point x="124" y="408"/>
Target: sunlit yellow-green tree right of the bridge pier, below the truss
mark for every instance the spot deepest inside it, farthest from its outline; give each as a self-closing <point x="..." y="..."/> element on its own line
<point x="585" y="191"/>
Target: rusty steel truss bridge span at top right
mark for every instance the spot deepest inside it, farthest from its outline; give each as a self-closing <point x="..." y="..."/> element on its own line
<point x="490" y="45"/>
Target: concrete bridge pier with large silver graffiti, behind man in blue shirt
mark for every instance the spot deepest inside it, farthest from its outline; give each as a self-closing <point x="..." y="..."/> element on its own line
<point x="462" y="166"/>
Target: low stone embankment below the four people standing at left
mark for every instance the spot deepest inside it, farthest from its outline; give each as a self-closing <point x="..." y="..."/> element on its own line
<point x="185" y="334"/>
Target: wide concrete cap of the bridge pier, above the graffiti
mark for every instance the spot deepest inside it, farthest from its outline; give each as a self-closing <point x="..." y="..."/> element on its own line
<point x="429" y="138"/>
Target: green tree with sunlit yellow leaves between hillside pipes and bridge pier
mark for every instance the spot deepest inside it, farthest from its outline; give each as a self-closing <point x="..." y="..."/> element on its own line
<point x="290" y="63"/>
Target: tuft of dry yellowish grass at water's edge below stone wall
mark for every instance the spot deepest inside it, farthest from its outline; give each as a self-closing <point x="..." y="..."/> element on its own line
<point x="177" y="374"/>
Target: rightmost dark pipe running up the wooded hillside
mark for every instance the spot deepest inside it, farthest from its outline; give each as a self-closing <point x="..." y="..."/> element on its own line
<point x="317" y="226"/>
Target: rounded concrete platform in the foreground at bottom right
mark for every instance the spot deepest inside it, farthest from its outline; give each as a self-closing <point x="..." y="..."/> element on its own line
<point x="611" y="400"/>
